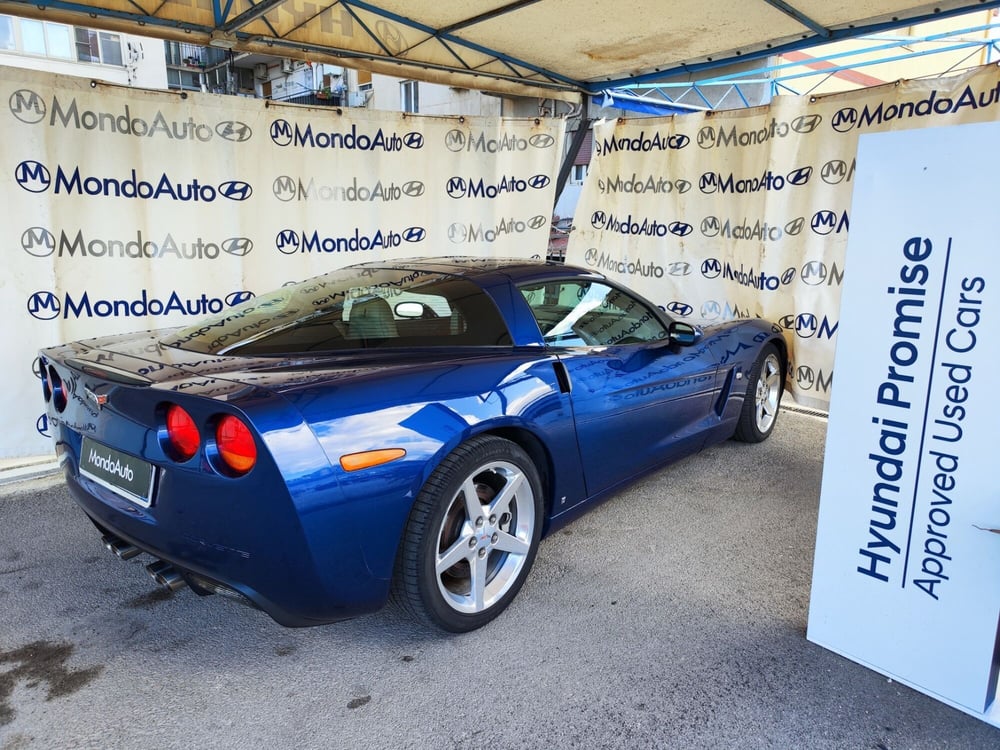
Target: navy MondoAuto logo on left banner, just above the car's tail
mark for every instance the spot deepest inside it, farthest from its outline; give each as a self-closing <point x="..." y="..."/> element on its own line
<point x="47" y="306"/>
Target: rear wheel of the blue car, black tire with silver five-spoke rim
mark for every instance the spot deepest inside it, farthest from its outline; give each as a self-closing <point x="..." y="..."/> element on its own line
<point x="495" y="549"/>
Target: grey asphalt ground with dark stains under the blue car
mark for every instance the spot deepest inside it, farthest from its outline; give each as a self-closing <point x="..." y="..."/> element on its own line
<point x="672" y="616"/>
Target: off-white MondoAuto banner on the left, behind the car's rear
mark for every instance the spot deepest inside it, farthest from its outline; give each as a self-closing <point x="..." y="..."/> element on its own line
<point x="126" y="209"/>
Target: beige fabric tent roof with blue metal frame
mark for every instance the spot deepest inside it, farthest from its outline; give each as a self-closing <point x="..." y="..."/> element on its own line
<point x="549" y="48"/>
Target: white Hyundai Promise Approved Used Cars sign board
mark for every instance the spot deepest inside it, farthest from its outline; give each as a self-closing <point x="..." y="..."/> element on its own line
<point x="906" y="578"/>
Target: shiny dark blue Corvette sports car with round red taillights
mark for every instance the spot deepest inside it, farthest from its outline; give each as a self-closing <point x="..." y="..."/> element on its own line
<point x="403" y="429"/>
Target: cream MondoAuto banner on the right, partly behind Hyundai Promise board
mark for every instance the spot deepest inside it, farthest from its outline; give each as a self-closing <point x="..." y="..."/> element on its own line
<point x="745" y="213"/>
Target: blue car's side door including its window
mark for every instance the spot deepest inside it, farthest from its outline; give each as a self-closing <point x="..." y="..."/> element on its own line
<point x="638" y="400"/>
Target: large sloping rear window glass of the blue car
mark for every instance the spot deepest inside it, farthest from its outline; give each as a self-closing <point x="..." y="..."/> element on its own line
<point x="355" y="308"/>
